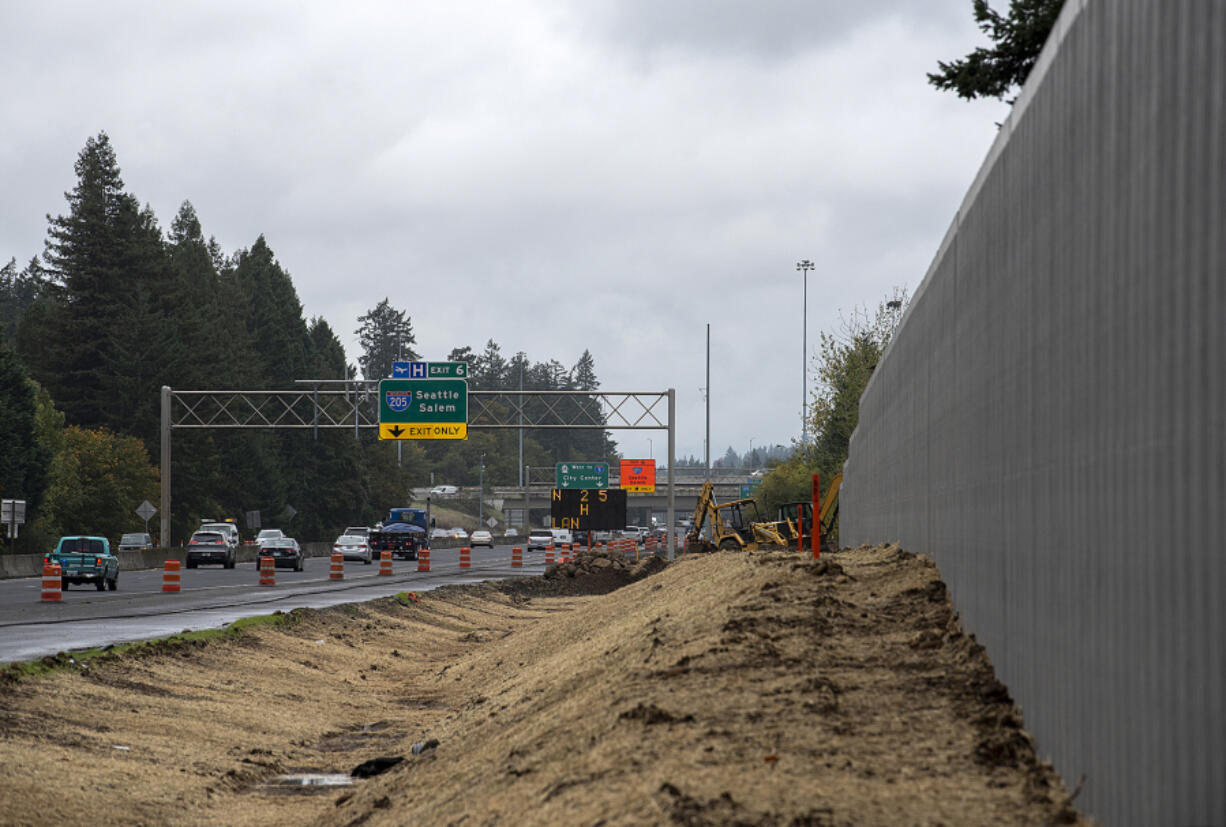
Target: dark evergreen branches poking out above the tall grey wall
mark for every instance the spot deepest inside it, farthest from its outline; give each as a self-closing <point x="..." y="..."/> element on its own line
<point x="1018" y="40"/>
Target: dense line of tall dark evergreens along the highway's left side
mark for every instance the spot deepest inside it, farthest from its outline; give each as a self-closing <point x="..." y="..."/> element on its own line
<point x="116" y="308"/>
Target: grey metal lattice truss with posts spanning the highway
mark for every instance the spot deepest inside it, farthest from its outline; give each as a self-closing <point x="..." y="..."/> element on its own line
<point x="355" y="404"/>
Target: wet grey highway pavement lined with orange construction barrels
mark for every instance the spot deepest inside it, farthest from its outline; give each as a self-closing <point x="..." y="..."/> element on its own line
<point x="213" y="597"/>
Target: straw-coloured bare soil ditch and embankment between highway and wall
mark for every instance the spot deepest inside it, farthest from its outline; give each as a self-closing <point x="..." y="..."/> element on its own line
<point x="725" y="689"/>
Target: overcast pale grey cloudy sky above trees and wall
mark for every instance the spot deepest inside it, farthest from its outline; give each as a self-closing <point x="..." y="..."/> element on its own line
<point x="601" y="175"/>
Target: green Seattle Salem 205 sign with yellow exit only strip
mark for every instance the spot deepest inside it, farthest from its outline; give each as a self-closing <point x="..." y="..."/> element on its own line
<point x="424" y="409"/>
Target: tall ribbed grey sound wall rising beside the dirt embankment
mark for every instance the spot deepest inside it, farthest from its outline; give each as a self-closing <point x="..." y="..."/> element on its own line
<point x="1050" y="422"/>
